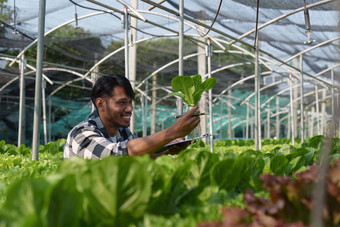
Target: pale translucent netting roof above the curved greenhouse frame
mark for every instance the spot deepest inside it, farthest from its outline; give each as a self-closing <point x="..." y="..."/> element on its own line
<point x="281" y="24"/>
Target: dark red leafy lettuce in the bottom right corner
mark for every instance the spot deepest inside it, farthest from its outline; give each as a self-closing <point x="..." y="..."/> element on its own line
<point x="290" y="203"/>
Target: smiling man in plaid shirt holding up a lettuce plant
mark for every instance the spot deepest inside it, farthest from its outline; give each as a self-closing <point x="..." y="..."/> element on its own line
<point x="106" y="132"/>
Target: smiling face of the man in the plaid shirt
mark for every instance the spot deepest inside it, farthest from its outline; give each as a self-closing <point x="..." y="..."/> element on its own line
<point x="117" y="109"/>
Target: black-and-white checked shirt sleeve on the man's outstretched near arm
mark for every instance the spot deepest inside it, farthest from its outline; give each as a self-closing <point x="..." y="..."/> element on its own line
<point x="88" y="142"/>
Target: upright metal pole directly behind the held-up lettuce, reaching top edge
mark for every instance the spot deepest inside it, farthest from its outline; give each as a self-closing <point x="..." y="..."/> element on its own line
<point x="180" y="51"/>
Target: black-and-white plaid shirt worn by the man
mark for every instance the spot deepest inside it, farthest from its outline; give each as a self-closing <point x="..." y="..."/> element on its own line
<point x="89" y="139"/>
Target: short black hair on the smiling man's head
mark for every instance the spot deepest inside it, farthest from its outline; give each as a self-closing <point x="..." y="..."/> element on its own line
<point x="105" y="85"/>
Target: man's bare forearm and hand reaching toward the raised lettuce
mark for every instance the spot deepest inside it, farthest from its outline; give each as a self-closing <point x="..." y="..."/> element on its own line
<point x="152" y="143"/>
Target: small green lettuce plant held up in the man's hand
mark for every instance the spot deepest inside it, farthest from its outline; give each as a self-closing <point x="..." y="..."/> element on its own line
<point x="191" y="88"/>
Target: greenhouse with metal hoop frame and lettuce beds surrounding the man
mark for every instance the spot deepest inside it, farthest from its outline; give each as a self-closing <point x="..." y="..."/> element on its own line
<point x="275" y="108"/>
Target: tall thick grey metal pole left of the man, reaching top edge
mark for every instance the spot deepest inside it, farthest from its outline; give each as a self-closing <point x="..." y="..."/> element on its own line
<point x="37" y="97"/>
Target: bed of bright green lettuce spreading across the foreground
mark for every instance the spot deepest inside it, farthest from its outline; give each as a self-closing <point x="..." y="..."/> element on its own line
<point x="180" y="190"/>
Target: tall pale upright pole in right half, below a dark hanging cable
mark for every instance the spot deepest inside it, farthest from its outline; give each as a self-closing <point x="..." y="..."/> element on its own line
<point x="257" y="99"/>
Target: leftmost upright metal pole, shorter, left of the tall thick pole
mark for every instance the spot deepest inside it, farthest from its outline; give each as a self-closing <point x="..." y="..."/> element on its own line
<point x="22" y="103"/>
